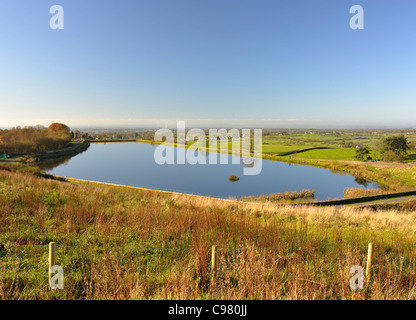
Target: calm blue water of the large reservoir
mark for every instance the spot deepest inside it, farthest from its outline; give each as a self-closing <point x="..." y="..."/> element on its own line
<point x="133" y="164"/>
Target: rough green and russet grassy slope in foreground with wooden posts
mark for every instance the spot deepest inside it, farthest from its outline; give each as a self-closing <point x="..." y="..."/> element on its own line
<point x="124" y="243"/>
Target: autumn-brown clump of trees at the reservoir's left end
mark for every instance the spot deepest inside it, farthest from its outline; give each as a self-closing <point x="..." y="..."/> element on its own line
<point x="34" y="139"/>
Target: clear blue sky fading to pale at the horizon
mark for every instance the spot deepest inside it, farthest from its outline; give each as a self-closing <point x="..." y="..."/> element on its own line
<point x="271" y="63"/>
